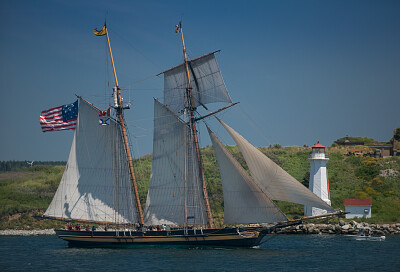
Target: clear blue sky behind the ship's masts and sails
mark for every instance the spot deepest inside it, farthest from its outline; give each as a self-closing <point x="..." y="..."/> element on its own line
<point x="302" y="70"/>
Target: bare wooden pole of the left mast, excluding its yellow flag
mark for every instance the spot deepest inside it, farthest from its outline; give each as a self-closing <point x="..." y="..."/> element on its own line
<point x="128" y="153"/>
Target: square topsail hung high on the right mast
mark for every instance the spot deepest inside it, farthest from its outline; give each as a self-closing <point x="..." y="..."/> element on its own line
<point x="206" y="81"/>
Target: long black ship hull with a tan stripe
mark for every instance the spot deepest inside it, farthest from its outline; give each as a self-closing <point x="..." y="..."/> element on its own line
<point x="227" y="237"/>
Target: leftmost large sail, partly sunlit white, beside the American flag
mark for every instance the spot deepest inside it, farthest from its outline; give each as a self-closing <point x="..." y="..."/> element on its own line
<point x="96" y="183"/>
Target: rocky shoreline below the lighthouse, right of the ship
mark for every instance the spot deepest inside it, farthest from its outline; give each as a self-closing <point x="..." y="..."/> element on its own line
<point x="343" y="227"/>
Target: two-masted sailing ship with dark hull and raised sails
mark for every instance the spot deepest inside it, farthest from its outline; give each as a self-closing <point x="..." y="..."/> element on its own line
<point x="99" y="184"/>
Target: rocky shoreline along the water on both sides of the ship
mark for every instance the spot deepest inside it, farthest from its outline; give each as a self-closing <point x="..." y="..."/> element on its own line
<point x="342" y="228"/>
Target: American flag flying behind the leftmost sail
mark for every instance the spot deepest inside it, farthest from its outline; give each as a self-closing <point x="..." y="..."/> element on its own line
<point x="60" y="118"/>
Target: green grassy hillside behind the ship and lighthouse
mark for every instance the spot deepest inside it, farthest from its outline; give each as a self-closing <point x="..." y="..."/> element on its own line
<point x="29" y="191"/>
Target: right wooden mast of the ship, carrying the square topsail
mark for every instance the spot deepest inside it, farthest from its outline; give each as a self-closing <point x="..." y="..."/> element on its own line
<point x="196" y="142"/>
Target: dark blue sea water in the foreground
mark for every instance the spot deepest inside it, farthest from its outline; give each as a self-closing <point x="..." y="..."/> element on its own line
<point x="279" y="253"/>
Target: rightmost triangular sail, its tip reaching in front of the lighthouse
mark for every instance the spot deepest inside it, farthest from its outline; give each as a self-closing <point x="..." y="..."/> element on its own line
<point x="271" y="178"/>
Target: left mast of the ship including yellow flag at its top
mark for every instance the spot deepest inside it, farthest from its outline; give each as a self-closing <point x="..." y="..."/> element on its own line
<point x="118" y="105"/>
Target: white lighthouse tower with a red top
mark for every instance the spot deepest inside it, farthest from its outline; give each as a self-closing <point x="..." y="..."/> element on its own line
<point x="319" y="183"/>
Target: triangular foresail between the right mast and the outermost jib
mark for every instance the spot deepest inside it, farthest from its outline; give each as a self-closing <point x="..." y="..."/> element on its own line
<point x="244" y="202"/>
